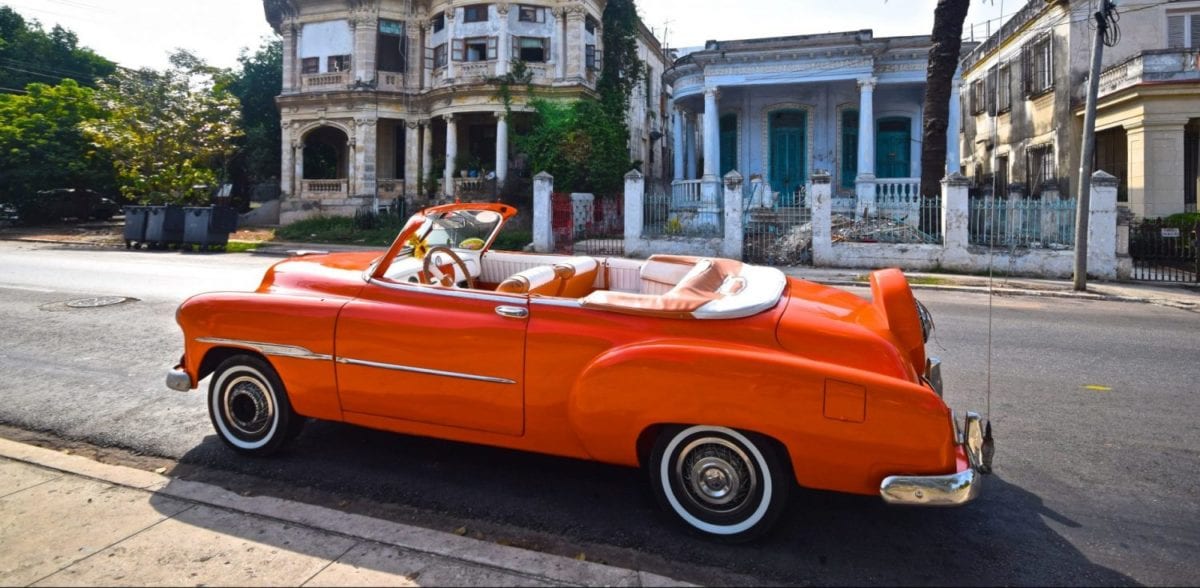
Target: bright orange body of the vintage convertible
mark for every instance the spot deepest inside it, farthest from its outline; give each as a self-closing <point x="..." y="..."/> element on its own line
<point x="836" y="380"/>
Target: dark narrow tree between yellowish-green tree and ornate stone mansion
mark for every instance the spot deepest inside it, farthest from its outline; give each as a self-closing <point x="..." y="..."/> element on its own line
<point x="256" y="83"/>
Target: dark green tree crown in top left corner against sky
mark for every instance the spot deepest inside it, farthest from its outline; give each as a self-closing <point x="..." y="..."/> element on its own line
<point x="29" y="55"/>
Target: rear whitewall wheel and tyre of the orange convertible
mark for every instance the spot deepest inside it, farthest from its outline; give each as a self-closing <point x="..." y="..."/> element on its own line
<point x="721" y="482"/>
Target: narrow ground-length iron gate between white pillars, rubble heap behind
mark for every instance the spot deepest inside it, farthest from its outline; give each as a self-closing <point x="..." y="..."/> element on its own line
<point x="777" y="227"/>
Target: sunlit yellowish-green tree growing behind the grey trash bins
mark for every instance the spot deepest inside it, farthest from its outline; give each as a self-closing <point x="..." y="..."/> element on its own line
<point x="169" y="131"/>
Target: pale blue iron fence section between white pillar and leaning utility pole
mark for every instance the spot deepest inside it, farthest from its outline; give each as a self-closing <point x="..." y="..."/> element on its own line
<point x="1022" y="223"/>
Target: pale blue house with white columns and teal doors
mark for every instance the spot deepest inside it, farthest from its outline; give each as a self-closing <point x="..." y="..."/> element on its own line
<point x="782" y="109"/>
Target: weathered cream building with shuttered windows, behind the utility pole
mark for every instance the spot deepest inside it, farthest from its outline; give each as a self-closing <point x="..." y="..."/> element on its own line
<point x="1024" y="92"/>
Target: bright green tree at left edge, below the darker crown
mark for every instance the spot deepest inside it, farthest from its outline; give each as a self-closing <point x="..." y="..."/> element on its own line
<point x="43" y="146"/>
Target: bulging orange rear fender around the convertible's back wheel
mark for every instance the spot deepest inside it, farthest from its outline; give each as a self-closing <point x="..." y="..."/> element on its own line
<point x="904" y="427"/>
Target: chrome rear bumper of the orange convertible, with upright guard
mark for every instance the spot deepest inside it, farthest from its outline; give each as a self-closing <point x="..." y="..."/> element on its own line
<point x="950" y="490"/>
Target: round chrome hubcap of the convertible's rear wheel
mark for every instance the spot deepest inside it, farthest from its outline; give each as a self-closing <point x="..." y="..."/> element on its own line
<point x="716" y="475"/>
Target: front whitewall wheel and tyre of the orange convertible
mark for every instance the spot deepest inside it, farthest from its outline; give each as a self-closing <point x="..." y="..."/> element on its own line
<point x="250" y="407"/>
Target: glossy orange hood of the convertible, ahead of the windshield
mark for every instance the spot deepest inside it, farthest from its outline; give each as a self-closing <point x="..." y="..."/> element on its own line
<point x="338" y="274"/>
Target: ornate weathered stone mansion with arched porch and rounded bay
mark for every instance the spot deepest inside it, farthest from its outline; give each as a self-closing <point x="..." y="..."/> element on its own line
<point x="401" y="99"/>
